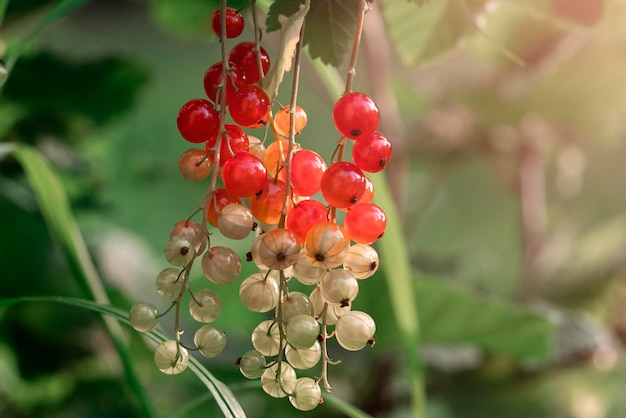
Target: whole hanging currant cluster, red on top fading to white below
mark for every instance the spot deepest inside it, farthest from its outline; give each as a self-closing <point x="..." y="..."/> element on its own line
<point x="272" y="190"/>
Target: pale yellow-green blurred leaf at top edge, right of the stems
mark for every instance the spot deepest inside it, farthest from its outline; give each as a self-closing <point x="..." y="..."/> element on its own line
<point x="423" y="32"/>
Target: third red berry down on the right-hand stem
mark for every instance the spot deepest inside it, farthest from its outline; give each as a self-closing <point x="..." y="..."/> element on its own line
<point x="342" y="184"/>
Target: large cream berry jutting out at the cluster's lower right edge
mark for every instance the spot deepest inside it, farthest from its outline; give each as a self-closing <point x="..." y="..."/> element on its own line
<point x="355" y="330"/>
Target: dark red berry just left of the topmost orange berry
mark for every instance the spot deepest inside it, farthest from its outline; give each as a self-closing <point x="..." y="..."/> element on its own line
<point x="250" y="106"/>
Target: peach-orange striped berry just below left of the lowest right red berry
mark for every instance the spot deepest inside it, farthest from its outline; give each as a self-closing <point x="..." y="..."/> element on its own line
<point x="326" y="245"/>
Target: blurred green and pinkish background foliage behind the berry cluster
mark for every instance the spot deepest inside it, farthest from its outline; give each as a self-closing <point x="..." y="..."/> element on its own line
<point x="508" y="120"/>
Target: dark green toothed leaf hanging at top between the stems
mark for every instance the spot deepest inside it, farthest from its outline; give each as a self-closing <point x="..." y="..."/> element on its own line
<point x="330" y="26"/>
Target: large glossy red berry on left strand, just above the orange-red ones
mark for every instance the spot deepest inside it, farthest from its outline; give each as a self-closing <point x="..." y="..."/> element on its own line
<point x="244" y="175"/>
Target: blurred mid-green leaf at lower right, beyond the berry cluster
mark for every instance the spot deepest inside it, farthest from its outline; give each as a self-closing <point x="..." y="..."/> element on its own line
<point x="458" y="316"/>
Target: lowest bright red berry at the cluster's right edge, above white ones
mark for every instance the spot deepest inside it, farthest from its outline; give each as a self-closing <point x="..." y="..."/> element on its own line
<point x="365" y="222"/>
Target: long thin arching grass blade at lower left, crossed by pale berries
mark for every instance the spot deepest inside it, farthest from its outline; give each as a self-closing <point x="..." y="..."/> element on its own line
<point x="223" y="395"/>
